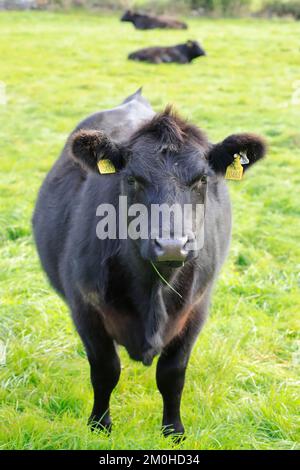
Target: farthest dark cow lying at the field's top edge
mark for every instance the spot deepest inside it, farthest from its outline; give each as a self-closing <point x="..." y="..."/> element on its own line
<point x="151" y="22"/>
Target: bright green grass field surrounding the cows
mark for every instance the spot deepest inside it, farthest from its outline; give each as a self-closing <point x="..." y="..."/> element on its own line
<point x="241" y="388"/>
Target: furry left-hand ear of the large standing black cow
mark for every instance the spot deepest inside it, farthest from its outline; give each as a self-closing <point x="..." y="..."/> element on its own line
<point x="88" y="147"/>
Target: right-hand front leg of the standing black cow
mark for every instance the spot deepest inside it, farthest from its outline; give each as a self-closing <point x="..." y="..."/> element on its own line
<point x="170" y="374"/>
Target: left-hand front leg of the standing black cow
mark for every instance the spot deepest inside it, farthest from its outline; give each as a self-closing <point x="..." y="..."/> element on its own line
<point x="104" y="365"/>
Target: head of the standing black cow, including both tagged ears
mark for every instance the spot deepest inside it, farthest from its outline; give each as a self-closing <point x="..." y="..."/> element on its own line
<point x="167" y="163"/>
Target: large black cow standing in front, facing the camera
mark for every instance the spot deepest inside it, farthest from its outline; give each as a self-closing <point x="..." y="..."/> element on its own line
<point x="113" y="286"/>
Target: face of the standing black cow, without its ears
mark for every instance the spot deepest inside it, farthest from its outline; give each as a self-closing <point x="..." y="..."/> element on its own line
<point x="169" y="178"/>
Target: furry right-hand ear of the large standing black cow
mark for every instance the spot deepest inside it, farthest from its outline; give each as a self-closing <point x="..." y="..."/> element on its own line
<point x="249" y="146"/>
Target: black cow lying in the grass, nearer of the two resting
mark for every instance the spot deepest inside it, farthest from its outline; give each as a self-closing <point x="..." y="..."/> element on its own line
<point x="181" y="54"/>
